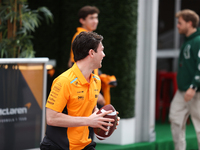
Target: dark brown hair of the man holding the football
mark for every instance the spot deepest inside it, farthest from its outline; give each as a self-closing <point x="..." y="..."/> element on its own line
<point x="84" y="42"/>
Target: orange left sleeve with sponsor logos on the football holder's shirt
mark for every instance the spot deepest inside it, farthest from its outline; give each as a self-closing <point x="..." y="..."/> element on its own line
<point x="59" y="95"/>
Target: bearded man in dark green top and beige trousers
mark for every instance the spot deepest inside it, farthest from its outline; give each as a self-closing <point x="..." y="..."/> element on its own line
<point x="187" y="98"/>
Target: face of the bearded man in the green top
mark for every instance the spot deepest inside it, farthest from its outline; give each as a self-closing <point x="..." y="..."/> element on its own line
<point x="182" y="26"/>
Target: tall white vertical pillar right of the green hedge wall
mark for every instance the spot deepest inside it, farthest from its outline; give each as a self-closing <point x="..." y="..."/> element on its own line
<point x="146" y="70"/>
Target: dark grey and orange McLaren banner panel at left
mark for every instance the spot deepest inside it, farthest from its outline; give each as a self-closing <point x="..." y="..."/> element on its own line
<point x="21" y="96"/>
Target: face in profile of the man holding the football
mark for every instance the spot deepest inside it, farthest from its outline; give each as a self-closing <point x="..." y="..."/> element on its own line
<point x="98" y="56"/>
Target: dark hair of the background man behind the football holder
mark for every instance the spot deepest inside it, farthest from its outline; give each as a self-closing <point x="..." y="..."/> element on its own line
<point x="87" y="10"/>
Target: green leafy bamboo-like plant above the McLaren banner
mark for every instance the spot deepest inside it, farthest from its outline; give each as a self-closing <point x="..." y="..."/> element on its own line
<point x="30" y="21"/>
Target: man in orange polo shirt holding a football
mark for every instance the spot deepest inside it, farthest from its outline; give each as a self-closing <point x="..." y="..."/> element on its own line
<point x="71" y="105"/>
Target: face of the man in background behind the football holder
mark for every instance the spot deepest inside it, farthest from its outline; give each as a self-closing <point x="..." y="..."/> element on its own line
<point x="90" y="22"/>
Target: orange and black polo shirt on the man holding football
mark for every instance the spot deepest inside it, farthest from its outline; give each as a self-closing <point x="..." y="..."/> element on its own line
<point x="73" y="95"/>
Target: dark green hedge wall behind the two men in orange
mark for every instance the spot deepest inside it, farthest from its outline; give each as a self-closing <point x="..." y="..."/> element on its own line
<point x="118" y="25"/>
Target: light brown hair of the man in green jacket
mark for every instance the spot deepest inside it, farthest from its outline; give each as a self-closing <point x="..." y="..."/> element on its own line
<point x="189" y="15"/>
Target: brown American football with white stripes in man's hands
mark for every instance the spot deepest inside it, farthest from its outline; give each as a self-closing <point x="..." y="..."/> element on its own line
<point x="101" y="134"/>
